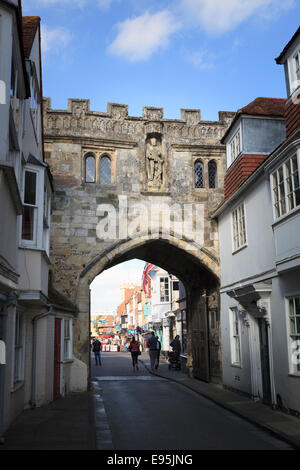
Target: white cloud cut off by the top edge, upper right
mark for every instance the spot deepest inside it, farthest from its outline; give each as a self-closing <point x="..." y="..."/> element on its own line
<point x="219" y="16"/>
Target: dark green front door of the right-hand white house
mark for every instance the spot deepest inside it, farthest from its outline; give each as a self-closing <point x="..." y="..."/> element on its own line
<point x="265" y="361"/>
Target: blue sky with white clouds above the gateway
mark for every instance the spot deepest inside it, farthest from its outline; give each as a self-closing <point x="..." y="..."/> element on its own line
<point x="208" y="54"/>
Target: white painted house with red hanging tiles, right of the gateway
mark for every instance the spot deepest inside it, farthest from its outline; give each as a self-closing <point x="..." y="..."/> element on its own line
<point x="259" y="226"/>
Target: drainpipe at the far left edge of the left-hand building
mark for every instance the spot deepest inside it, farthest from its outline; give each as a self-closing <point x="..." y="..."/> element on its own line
<point x="10" y="299"/>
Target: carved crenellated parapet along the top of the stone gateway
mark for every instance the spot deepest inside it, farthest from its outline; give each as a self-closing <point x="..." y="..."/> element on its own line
<point x="78" y="119"/>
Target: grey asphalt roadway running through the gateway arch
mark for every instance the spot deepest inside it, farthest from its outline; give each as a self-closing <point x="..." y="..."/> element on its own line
<point x="145" y="412"/>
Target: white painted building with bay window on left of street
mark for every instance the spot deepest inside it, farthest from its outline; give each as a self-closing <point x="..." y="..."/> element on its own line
<point x="35" y="321"/>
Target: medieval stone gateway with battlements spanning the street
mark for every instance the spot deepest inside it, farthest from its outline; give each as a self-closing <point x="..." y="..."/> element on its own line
<point x="137" y="187"/>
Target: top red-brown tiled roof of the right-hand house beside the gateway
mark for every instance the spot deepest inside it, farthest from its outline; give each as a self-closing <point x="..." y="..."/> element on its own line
<point x="259" y="107"/>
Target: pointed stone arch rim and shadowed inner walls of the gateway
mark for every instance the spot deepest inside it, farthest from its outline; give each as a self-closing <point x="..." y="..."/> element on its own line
<point x="195" y="270"/>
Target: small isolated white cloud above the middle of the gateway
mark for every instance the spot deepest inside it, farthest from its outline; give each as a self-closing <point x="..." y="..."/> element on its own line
<point x="140" y="37"/>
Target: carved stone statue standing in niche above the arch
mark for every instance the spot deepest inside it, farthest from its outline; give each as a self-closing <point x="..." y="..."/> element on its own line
<point x="154" y="163"/>
